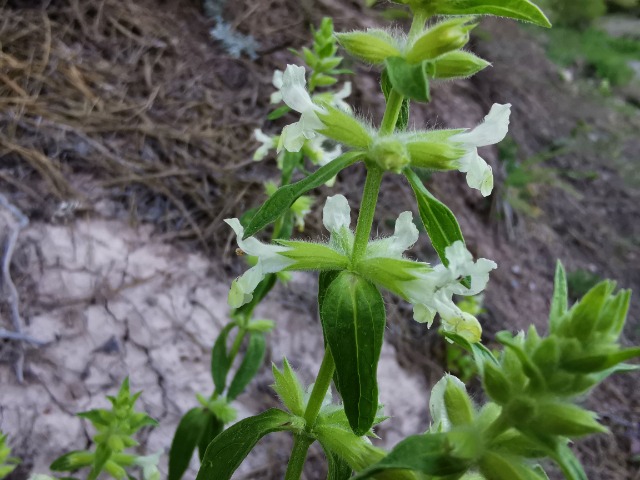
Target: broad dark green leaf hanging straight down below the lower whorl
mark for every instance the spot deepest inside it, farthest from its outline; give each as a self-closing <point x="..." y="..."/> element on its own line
<point x="353" y="320"/>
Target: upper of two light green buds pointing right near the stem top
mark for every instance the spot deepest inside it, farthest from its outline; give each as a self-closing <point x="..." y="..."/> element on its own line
<point x="440" y="39"/>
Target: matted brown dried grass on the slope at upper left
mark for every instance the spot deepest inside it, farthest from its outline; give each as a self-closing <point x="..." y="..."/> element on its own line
<point x="147" y="104"/>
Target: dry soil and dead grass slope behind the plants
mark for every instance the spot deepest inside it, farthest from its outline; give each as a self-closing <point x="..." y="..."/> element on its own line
<point x="123" y="140"/>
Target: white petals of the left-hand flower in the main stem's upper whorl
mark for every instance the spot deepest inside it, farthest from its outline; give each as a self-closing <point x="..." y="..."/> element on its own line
<point x="296" y="96"/>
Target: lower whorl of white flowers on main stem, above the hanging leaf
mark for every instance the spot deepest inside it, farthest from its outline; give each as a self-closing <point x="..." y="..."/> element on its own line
<point x="429" y="290"/>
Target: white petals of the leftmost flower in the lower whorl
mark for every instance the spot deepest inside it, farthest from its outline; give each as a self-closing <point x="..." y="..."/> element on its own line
<point x="269" y="261"/>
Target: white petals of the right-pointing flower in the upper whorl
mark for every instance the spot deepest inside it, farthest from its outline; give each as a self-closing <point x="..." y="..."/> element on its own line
<point x="491" y="131"/>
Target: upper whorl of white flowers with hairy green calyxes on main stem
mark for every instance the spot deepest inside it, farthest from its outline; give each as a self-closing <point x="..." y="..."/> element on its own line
<point x="435" y="149"/>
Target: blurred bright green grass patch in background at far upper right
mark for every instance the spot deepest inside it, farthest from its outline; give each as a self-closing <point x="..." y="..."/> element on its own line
<point x="604" y="57"/>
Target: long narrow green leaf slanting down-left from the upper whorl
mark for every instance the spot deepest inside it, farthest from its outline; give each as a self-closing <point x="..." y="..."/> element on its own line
<point x="284" y="197"/>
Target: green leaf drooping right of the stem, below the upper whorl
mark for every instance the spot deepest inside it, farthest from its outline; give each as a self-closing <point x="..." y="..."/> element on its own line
<point x="440" y="222"/>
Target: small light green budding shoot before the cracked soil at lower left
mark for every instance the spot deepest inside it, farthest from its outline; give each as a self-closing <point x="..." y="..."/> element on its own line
<point x="115" y="429"/>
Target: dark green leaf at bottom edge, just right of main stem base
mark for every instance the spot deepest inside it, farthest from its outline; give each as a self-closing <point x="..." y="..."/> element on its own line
<point x="429" y="454"/>
